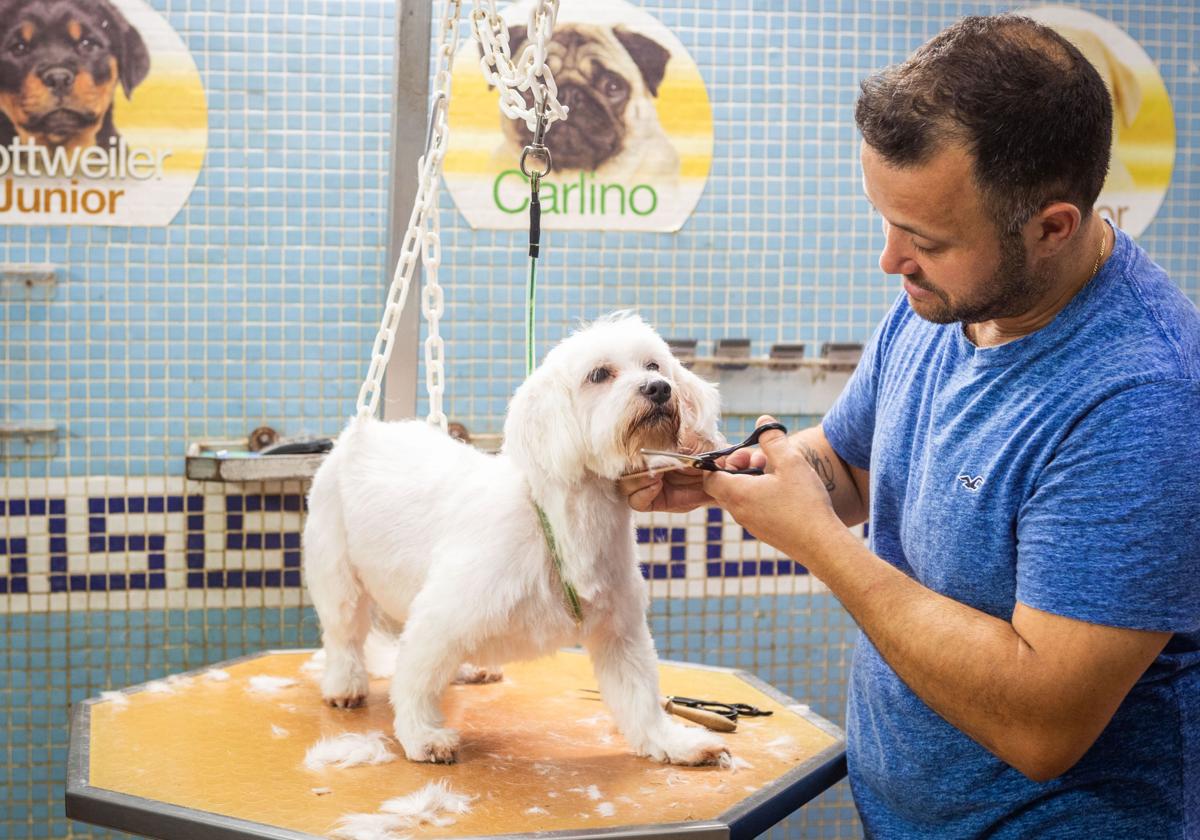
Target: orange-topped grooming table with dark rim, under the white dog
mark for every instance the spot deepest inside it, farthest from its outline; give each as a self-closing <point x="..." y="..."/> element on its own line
<point x="218" y="760"/>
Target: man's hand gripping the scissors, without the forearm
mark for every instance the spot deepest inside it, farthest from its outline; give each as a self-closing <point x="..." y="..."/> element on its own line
<point x="781" y="506"/>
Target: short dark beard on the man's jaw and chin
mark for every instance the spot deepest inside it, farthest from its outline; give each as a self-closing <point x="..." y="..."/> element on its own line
<point x="1011" y="291"/>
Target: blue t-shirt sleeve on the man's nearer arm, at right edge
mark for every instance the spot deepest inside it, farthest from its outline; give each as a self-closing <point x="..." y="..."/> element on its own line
<point x="1112" y="531"/>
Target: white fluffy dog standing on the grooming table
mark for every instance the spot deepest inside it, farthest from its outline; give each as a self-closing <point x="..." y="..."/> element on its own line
<point x="452" y="543"/>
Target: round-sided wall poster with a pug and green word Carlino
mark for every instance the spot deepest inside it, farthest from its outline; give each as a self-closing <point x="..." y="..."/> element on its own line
<point x="635" y="151"/>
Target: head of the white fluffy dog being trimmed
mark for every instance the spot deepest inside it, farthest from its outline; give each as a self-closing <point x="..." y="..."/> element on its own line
<point x="601" y="397"/>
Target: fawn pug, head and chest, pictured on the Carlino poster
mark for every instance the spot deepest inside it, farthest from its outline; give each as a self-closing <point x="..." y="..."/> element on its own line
<point x="609" y="79"/>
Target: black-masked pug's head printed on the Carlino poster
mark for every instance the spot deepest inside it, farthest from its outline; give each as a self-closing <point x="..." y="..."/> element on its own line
<point x="608" y="76"/>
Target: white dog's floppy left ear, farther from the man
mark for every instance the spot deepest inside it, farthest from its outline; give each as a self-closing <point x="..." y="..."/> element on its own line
<point x="542" y="434"/>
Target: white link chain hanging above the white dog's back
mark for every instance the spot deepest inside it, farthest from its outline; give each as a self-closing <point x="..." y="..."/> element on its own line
<point x="423" y="236"/>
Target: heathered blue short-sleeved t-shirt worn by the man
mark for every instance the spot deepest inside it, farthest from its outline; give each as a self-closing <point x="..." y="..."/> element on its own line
<point x="1063" y="471"/>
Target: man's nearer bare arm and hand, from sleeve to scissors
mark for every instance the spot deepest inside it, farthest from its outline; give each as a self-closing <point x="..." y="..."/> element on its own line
<point x="1036" y="691"/>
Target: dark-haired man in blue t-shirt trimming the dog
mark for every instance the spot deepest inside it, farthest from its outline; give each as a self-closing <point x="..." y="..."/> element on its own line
<point x="1022" y="433"/>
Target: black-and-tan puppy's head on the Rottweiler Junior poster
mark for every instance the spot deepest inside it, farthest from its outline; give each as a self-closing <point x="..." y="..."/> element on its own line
<point x="61" y="62"/>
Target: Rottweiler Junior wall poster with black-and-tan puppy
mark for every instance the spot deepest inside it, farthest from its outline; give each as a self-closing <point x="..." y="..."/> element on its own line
<point x="103" y="115"/>
